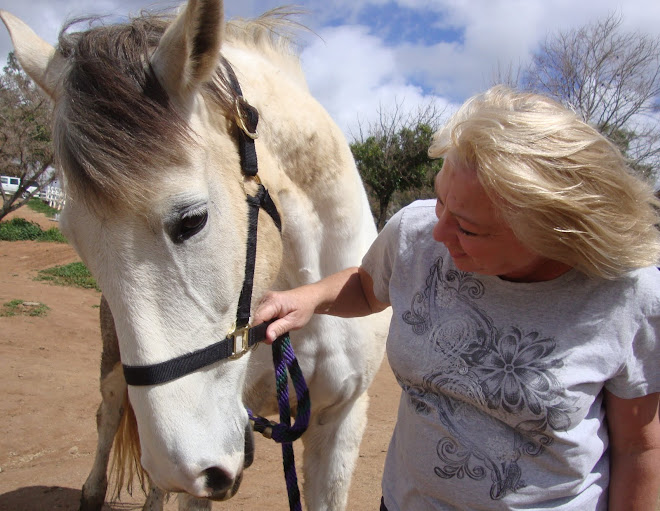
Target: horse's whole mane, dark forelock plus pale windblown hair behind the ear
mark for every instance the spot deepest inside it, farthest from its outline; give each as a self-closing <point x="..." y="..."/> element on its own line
<point x="114" y="112"/>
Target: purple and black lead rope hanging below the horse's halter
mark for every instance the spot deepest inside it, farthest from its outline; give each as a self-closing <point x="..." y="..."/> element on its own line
<point x="284" y="433"/>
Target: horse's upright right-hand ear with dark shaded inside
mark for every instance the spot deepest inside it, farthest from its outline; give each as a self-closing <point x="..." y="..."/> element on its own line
<point x="188" y="52"/>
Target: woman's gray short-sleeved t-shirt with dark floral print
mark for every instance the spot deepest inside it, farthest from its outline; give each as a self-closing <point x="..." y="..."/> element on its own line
<point x="502" y="404"/>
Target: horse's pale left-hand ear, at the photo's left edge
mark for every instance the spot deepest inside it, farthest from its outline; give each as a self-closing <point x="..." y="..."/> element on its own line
<point x="37" y="58"/>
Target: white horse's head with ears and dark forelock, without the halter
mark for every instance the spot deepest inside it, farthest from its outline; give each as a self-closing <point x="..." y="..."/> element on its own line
<point x="146" y="136"/>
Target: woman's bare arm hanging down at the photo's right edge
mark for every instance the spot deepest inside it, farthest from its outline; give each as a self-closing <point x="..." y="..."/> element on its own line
<point x="634" y="430"/>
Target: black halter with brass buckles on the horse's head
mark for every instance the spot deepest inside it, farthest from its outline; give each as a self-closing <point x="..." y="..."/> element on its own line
<point x="243" y="337"/>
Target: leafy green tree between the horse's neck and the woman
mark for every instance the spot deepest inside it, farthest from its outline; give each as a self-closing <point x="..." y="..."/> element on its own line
<point x="392" y="157"/>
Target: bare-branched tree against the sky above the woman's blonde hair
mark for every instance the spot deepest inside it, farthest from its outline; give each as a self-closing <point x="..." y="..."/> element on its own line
<point x="611" y="78"/>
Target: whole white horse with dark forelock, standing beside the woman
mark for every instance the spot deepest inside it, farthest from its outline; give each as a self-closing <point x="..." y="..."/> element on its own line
<point x="148" y="125"/>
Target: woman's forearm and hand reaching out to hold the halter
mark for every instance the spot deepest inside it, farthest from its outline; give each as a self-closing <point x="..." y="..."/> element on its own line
<point x="348" y="294"/>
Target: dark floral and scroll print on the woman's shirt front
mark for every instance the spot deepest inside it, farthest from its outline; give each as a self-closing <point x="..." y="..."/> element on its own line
<point x="492" y="388"/>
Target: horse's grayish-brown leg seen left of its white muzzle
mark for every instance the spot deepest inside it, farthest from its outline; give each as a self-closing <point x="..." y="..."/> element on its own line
<point x="108" y="415"/>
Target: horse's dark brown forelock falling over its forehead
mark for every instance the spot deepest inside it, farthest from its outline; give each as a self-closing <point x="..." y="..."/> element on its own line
<point x="114" y="124"/>
